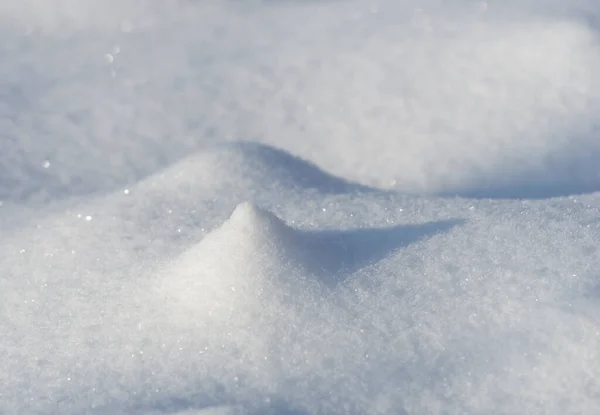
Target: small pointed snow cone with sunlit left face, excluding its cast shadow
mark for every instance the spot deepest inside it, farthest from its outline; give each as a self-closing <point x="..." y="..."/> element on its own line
<point x="252" y="244"/>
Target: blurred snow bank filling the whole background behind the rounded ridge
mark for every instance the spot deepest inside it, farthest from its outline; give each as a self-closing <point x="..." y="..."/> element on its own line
<point x="474" y="99"/>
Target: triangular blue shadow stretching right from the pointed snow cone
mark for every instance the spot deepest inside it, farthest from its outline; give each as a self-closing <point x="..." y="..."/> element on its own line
<point x="340" y="253"/>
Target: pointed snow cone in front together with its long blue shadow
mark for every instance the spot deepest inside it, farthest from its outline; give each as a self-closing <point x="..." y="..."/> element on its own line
<point x="254" y="247"/>
